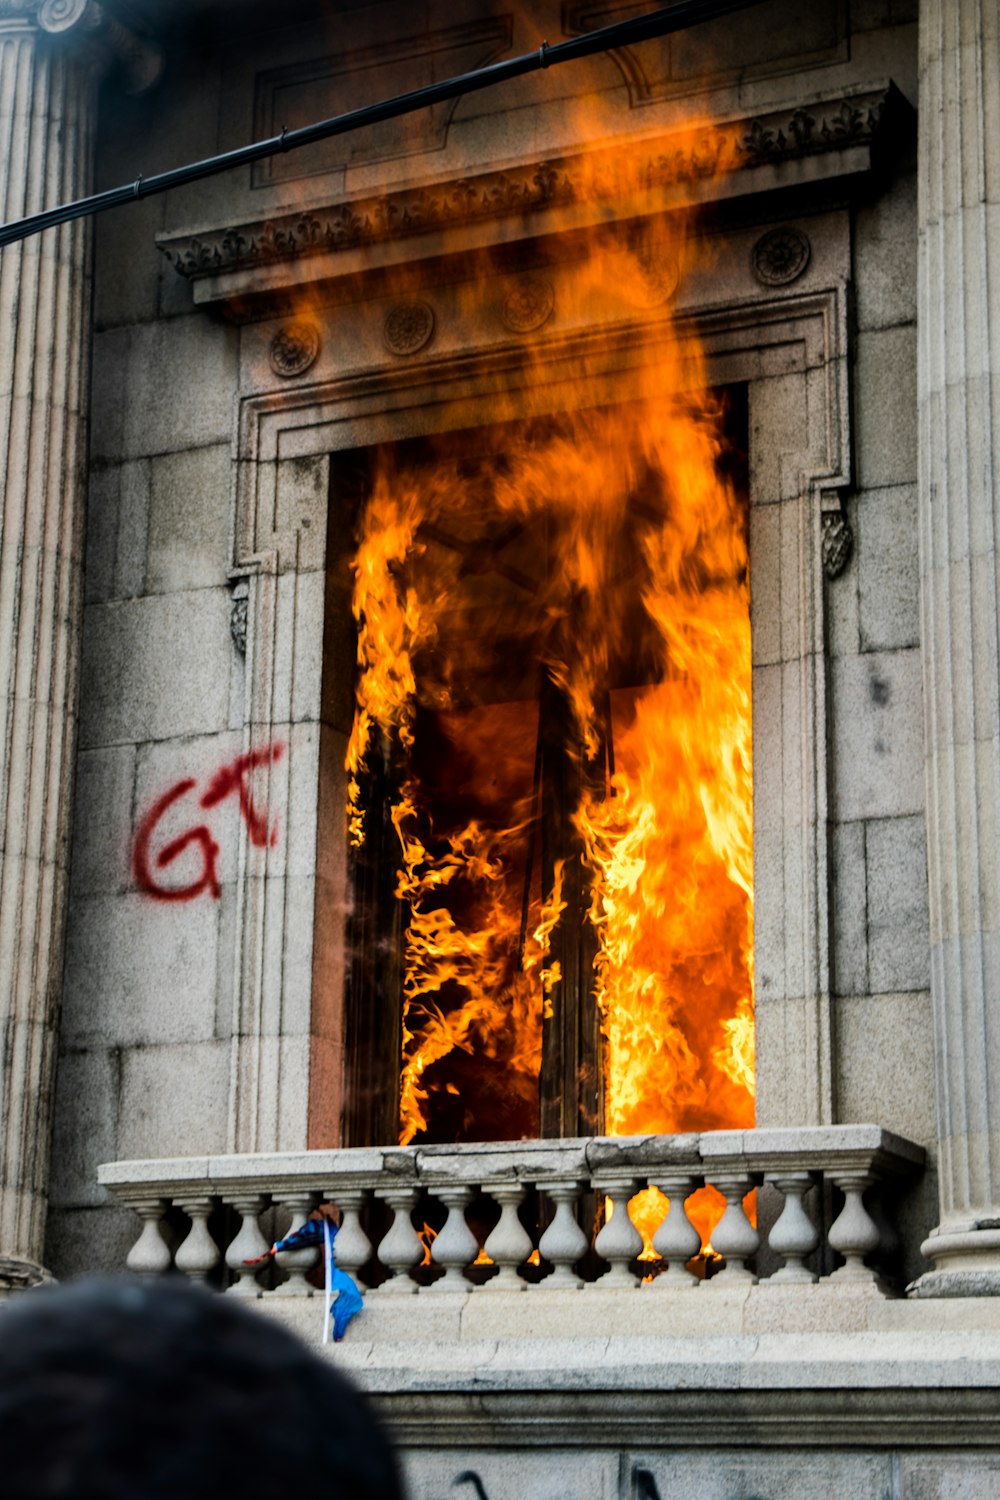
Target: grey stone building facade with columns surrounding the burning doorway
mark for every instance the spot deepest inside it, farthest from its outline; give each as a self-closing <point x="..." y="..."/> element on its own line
<point x="250" y="331"/>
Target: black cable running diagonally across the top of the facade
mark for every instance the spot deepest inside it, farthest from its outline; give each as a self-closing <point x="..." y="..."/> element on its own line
<point x="623" y="34"/>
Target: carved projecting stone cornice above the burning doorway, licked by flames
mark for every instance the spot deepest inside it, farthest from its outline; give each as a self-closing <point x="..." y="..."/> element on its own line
<point x="681" y="166"/>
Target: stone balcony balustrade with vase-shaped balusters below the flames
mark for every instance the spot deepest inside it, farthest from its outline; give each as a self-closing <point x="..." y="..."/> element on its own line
<point x="525" y="1214"/>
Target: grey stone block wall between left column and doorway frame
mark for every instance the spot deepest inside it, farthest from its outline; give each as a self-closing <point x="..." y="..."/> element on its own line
<point x="145" y="1058"/>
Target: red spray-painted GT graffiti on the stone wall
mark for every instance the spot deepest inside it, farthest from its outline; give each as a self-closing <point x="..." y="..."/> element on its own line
<point x="233" y="778"/>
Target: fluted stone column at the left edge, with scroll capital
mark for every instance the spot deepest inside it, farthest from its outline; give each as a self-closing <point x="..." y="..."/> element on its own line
<point x="47" y="106"/>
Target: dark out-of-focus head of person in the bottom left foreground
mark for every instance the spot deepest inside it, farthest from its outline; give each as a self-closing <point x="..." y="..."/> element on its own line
<point x="122" y="1390"/>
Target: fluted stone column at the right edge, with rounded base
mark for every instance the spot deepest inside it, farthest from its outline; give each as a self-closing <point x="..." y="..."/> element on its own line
<point x="960" y="598"/>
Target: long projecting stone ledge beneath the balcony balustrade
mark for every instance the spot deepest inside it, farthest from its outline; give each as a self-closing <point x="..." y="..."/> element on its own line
<point x="921" y="1387"/>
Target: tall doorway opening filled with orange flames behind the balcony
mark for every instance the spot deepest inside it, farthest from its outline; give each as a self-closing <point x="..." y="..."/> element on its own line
<point x="551" y="779"/>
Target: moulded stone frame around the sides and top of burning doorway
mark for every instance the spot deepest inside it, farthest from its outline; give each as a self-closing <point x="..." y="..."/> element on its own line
<point x="791" y="347"/>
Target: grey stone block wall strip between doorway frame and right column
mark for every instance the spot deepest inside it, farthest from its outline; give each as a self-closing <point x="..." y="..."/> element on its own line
<point x="881" y="911"/>
